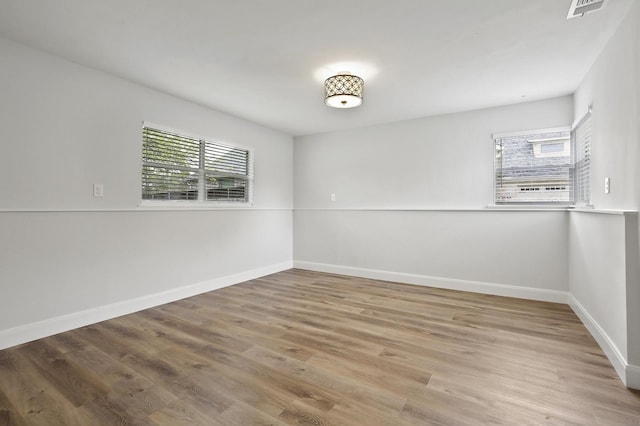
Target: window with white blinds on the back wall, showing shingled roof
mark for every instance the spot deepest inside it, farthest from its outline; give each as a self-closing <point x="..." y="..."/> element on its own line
<point x="533" y="167"/>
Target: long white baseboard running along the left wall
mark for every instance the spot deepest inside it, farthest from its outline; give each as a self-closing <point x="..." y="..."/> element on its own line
<point x="37" y="330"/>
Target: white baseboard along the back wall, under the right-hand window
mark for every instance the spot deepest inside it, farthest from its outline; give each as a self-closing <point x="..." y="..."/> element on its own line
<point x="529" y="293"/>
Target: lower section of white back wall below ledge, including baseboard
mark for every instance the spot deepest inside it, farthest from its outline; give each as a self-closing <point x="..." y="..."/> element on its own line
<point x="466" y="250"/>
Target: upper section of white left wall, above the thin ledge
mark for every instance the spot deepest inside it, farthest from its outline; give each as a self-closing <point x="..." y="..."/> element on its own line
<point x="68" y="127"/>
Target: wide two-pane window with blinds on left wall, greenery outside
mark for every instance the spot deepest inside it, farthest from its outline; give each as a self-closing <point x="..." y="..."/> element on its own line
<point x="183" y="168"/>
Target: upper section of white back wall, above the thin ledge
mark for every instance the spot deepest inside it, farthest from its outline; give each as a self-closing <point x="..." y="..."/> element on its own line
<point x="435" y="162"/>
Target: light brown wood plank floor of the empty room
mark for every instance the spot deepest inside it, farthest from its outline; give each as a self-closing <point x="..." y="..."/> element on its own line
<point x="307" y="348"/>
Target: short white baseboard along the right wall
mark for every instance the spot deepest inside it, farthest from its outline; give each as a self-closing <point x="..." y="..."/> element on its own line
<point x="629" y="374"/>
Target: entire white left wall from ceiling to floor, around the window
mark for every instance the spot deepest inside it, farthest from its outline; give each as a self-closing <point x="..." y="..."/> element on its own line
<point x="66" y="254"/>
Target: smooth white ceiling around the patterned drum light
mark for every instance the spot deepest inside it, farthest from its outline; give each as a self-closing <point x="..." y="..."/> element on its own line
<point x="265" y="60"/>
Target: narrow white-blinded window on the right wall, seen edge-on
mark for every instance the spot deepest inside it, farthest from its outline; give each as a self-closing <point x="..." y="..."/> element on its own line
<point x="581" y="135"/>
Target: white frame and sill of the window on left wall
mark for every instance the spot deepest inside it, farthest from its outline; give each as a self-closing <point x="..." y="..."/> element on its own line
<point x="202" y="202"/>
